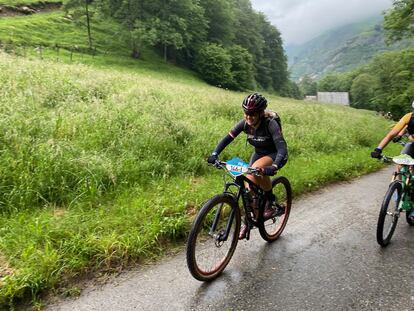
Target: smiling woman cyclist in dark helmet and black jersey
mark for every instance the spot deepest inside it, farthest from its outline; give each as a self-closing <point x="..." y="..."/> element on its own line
<point x="270" y="154"/>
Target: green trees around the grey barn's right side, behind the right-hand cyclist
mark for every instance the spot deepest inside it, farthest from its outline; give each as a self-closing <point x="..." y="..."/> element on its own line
<point x="385" y="84"/>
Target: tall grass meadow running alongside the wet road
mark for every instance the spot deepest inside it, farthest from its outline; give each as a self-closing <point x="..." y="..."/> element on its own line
<point x="102" y="168"/>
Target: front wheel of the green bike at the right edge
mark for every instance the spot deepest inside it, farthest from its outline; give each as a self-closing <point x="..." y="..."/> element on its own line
<point x="389" y="213"/>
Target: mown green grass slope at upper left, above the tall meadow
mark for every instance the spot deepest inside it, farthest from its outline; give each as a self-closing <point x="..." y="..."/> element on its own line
<point x="24" y="35"/>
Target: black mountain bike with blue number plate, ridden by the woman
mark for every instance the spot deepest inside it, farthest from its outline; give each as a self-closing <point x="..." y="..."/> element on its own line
<point x="215" y="230"/>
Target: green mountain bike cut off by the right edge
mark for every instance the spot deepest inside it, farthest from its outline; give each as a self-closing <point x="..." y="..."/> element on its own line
<point x="398" y="198"/>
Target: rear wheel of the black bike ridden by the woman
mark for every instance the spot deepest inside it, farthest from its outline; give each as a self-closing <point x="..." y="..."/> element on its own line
<point x="271" y="229"/>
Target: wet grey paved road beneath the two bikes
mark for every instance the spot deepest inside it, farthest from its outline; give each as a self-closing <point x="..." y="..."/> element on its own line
<point x="326" y="259"/>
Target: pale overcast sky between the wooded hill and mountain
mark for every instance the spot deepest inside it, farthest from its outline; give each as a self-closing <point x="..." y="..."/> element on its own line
<point x="301" y="20"/>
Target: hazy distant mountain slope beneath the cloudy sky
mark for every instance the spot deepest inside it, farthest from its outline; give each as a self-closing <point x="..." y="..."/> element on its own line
<point x="339" y="50"/>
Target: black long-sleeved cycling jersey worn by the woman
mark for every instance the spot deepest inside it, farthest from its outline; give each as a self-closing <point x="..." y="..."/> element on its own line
<point x="266" y="139"/>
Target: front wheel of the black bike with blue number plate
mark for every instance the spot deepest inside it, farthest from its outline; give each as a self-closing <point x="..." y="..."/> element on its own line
<point x="208" y="249"/>
